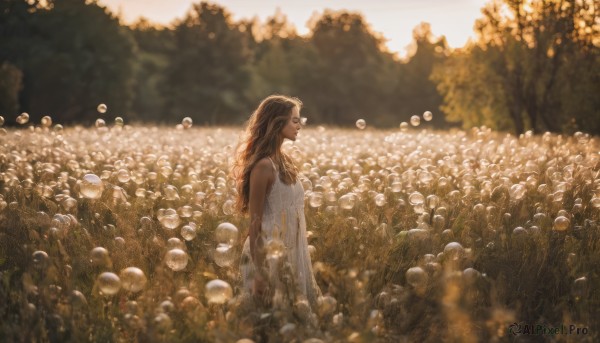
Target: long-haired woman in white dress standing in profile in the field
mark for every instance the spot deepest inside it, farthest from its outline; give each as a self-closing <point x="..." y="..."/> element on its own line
<point x="276" y="249"/>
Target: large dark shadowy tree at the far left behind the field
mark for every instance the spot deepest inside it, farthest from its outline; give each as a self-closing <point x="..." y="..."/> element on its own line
<point x="73" y="55"/>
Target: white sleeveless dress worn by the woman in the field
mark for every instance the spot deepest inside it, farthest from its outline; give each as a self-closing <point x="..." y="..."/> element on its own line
<point x="283" y="219"/>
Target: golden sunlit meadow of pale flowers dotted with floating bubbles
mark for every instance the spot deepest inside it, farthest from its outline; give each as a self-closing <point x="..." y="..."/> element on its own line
<point x="128" y="233"/>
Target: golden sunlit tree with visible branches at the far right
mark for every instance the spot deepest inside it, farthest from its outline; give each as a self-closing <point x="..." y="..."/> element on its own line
<point x="531" y="53"/>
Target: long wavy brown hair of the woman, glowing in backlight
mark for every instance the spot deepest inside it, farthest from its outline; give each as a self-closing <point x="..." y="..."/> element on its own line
<point x="262" y="139"/>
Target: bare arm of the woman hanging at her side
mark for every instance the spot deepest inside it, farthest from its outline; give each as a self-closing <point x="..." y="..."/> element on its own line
<point x="261" y="178"/>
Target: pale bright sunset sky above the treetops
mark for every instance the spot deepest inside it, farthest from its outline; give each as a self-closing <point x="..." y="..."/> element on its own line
<point x="394" y="19"/>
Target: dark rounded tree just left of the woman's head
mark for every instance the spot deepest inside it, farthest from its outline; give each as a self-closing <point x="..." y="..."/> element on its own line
<point x="207" y="73"/>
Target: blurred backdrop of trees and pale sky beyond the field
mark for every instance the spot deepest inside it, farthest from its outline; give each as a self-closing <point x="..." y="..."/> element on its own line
<point x="529" y="65"/>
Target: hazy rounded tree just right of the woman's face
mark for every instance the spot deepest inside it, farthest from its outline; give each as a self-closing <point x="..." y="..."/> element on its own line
<point x="352" y="70"/>
